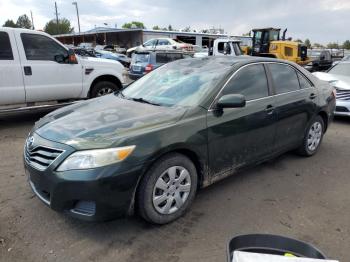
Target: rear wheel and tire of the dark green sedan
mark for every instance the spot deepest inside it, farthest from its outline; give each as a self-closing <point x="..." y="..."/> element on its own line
<point x="313" y="137"/>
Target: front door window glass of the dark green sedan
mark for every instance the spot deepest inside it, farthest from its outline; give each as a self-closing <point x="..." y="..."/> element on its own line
<point x="250" y="81"/>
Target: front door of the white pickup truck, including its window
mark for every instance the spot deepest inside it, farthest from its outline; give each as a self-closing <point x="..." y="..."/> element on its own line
<point x="44" y="78"/>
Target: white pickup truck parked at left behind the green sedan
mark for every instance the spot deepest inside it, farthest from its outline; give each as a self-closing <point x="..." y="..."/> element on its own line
<point x="37" y="70"/>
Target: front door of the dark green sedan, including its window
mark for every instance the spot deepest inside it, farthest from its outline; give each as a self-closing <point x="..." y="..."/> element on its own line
<point x="240" y="136"/>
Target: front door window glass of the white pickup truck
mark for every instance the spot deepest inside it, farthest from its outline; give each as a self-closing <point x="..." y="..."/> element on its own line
<point x="40" y="47"/>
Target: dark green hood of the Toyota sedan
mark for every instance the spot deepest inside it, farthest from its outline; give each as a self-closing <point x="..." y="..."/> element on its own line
<point x="102" y="122"/>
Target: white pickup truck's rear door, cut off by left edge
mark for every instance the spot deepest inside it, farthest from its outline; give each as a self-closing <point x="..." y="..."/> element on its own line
<point x="11" y="79"/>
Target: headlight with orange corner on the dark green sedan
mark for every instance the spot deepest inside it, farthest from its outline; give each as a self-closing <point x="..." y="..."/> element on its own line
<point x="95" y="158"/>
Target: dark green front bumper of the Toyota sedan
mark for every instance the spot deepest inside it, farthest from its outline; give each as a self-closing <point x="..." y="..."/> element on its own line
<point x="94" y="194"/>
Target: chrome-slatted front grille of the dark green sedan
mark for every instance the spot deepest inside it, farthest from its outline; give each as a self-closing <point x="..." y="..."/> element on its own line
<point x="40" y="157"/>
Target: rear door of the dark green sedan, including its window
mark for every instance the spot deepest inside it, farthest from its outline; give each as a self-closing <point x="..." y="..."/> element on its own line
<point x="295" y="104"/>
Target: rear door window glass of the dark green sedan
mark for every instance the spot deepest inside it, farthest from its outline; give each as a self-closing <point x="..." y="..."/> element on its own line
<point x="284" y="77"/>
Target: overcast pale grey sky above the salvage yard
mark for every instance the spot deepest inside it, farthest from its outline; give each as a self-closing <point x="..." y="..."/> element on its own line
<point x="321" y="21"/>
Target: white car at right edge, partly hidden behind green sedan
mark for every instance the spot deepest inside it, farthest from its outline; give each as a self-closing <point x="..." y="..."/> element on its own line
<point x="339" y="77"/>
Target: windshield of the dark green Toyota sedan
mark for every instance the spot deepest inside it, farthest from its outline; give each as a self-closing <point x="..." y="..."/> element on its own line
<point x="183" y="83"/>
